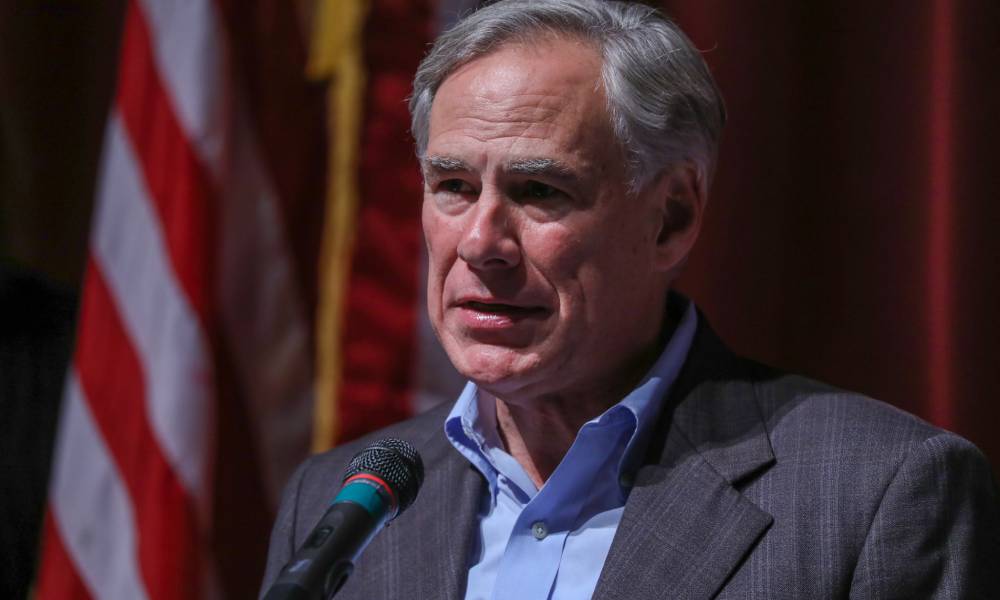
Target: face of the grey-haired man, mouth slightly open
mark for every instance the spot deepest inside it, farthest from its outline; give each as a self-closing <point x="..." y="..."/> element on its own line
<point x="543" y="278"/>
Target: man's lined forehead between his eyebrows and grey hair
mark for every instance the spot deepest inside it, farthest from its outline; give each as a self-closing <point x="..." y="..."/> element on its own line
<point x="547" y="97"/>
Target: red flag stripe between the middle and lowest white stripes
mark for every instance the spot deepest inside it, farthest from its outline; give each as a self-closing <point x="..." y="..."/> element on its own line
<point x="112" y="378"/>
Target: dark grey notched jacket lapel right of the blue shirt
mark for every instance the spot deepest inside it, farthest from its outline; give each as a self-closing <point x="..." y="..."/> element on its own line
<point x="686" y="527"/>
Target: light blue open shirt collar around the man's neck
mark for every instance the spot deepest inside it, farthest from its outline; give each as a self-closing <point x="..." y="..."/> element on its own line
<point x="471" y="428"/>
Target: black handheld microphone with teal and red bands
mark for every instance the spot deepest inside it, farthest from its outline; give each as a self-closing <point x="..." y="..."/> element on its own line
<point x="380" y="483"/>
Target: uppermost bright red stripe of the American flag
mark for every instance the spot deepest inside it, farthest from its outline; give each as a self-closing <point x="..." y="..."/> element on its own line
<point x="177" y="184"/>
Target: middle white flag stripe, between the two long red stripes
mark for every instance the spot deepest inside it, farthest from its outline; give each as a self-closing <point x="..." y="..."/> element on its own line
<point x="129" y="247"/>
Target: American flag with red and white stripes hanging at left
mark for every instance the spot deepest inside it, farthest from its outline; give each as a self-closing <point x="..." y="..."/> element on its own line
<point x="194" y="343"/>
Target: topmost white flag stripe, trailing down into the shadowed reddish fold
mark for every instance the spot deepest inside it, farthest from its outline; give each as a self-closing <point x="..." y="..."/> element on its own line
<point x="262" y="314"/>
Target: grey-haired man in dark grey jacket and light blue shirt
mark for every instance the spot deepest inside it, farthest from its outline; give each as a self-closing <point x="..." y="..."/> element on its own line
<point x="607" y="444"/>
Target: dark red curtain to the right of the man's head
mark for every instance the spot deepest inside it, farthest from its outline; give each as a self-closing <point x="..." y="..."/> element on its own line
<point x="852" y="229"/>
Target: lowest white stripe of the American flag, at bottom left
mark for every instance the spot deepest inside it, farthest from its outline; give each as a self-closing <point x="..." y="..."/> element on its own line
<point x="91" y="508"/>
